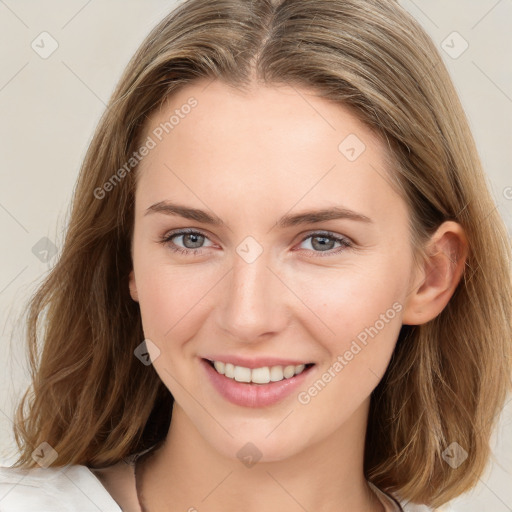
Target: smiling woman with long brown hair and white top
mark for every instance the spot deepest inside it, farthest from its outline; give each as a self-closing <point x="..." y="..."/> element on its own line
<point x="282" y="239"/>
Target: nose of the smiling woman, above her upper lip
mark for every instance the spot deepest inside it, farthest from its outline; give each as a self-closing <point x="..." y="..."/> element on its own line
<point x="254" y="304"/>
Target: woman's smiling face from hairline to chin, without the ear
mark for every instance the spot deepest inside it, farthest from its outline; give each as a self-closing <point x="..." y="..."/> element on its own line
<point x="254" y="281"/>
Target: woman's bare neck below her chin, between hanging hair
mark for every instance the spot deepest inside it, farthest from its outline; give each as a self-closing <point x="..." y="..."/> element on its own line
<point x="190" y="474"/>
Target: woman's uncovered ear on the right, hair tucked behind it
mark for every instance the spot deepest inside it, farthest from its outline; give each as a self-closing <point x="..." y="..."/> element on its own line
<point x="434" y="283"/>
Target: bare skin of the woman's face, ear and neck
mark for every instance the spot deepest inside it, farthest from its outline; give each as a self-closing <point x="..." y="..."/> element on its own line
<point x="250" y="158"/>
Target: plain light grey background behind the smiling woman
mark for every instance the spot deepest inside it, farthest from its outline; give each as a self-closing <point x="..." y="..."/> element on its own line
<point x="49" y="108"/>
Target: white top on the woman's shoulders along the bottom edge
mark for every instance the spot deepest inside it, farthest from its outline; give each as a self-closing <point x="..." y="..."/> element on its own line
<point x="76" y="487"/>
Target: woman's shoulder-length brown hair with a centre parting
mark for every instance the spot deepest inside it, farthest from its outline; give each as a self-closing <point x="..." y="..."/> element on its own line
<point x="95" y="403"/>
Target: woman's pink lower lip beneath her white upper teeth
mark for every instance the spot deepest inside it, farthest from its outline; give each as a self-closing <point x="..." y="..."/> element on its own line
<point x="251" y="394"/>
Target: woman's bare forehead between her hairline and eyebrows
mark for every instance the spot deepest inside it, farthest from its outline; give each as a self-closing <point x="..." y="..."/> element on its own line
<point x="266" y="146"/>
